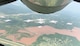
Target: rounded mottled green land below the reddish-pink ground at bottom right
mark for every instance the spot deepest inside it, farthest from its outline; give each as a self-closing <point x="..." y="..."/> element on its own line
<point x="56" y="40"/>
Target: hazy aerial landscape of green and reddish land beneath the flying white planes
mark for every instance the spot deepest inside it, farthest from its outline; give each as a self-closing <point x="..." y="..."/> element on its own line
<point x="28" y="28"/>
